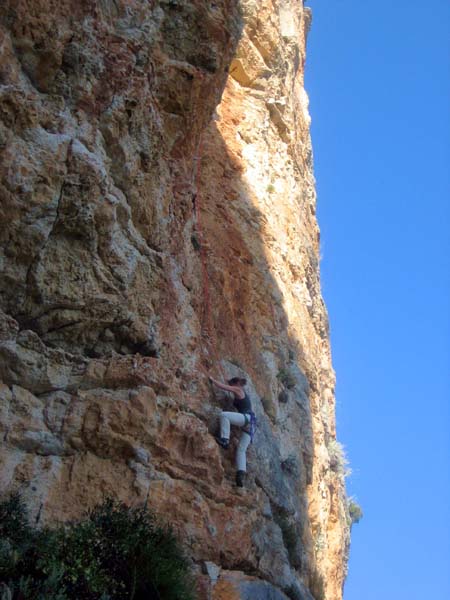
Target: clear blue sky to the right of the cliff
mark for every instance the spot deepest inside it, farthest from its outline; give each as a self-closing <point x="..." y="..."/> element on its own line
<point x="377" y="74"/>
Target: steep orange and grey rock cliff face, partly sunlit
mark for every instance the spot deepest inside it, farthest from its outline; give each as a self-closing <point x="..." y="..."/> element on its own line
<point x="158" y="223"/>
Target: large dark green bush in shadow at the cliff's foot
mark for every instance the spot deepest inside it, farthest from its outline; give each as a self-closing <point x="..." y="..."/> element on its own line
<point x="116" y="552"/>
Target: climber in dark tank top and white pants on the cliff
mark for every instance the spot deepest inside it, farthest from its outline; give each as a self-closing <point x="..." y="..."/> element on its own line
<point x="243" y="418"/>
